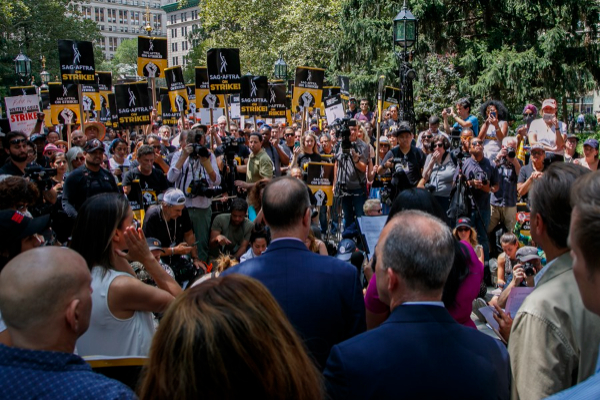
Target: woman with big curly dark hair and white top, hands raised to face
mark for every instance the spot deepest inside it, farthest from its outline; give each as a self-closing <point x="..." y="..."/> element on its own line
<point x="495" y="127"/>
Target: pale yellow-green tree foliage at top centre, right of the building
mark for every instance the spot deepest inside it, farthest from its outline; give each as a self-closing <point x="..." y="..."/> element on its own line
<point x="302" y="30"/>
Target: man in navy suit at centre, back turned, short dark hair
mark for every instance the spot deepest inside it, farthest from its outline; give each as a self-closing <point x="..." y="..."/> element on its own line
<point x="320" y="295"/>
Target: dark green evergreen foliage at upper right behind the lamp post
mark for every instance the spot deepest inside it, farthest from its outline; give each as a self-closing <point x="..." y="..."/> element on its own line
<point x="514" y="50"/>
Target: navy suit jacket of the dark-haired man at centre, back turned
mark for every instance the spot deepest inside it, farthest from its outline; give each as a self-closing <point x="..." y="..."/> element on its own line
<point x="320" y="295"/>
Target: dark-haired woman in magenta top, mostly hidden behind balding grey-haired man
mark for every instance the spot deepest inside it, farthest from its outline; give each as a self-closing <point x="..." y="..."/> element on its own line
<point x="457" y="291"/>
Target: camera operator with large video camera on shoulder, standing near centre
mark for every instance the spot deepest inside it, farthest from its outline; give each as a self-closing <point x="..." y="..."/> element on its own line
<point x="352" y="159"/>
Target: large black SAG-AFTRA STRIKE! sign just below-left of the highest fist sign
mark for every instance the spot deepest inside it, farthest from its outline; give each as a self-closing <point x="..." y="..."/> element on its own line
<point x="133" y="104"/>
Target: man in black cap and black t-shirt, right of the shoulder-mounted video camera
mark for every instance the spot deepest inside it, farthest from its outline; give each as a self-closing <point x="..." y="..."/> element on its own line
<point x="406" y="161"/>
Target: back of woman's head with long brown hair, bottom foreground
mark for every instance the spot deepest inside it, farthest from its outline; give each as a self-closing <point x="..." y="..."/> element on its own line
<point x="227" y="338"/>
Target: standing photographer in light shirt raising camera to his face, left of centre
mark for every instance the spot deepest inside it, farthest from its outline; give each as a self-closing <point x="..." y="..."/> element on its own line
<point x="195" y="167"/>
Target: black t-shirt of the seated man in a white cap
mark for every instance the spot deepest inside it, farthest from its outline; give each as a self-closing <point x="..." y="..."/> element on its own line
<point x="168" y="233"/>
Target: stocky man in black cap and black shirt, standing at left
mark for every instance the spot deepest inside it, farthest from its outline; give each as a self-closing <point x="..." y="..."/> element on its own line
<point x="87" y="181"/>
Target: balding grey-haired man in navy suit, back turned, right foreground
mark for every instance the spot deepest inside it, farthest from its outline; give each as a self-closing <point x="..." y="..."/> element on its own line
<point x="420" y="352"/>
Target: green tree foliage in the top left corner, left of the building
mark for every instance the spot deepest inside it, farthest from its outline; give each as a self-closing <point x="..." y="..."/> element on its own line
<point x="36" y="26"/>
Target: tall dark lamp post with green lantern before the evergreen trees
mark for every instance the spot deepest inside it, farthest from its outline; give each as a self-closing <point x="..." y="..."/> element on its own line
<point x="405" y="37"/>
